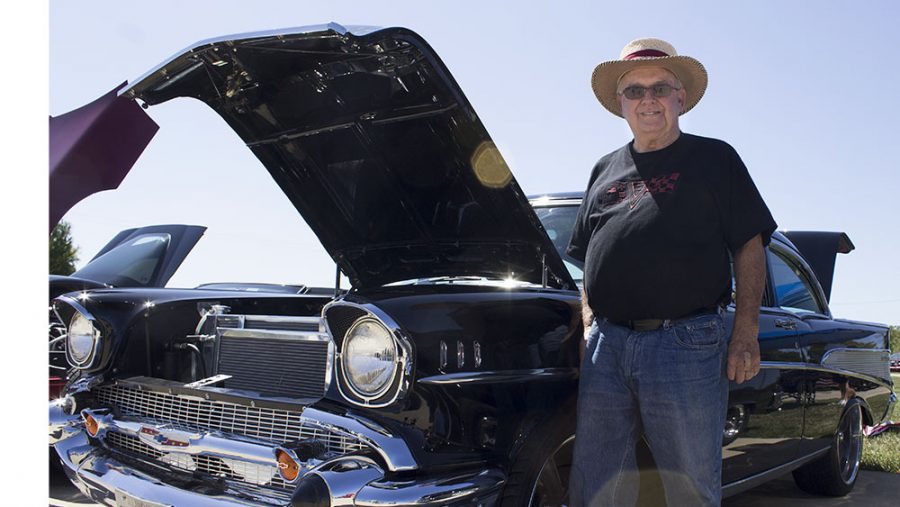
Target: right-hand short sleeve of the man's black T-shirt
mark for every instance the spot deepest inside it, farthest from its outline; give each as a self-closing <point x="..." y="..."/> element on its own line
<point x="745" y="212"/>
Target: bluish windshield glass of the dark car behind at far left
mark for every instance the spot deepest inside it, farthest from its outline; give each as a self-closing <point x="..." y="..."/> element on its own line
<point x="132" y="264"/>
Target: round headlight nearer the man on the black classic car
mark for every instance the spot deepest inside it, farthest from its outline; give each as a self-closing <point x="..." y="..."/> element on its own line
<point x="369" y="358"/>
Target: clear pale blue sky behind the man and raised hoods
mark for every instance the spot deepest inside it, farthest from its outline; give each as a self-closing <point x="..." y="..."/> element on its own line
<point x="802" y="90"/>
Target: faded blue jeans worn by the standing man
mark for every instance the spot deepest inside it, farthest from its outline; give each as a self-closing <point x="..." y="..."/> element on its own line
<point x="669" y="385"/>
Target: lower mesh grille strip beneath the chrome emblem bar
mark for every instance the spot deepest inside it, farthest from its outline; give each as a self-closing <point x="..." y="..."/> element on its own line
<point x="251" y="473"/>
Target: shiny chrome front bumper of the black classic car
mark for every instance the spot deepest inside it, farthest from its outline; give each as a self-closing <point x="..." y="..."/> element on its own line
<point x="347" y="480"/>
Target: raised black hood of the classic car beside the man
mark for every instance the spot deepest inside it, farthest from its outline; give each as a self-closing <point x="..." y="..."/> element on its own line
<point x="371" y="139"/>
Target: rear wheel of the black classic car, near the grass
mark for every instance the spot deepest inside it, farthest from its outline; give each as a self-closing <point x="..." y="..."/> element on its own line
<point x="835" y="473"/>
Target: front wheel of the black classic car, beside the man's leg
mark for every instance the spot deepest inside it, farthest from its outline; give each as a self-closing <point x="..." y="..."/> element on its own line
<point x="539" y="476"/>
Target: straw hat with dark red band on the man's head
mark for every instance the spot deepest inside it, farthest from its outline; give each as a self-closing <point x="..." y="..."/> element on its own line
<point x="648" y="53"/>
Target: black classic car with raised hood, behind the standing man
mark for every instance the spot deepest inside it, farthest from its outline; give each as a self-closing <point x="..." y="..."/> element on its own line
<point x="447" y="373"/>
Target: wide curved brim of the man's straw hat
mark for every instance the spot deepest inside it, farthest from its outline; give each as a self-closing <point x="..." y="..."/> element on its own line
<point x="689" y="71"/>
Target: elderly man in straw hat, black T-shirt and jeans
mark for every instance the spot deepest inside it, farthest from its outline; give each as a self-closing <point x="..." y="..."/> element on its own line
<point x="662" y="220"/>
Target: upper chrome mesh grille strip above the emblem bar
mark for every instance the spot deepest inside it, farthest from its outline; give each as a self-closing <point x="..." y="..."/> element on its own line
<point x="269" y="424"/>
